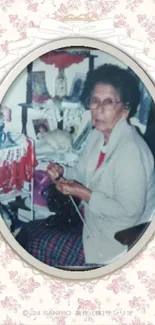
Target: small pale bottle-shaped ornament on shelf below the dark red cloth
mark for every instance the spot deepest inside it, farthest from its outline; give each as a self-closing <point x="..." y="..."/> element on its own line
<point x="61" y="84"/>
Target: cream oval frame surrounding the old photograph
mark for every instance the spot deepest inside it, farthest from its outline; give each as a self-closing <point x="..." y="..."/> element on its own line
<point x="25" y="256"/>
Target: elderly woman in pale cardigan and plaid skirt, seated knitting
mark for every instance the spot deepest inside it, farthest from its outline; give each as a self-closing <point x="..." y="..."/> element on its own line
<point x="114" y="178"/>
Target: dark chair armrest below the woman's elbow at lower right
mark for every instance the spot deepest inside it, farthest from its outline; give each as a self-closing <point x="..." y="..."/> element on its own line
<point x="131" y="235"/>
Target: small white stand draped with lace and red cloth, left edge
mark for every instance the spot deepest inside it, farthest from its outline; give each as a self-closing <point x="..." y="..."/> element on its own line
<point x="17" y="164"/>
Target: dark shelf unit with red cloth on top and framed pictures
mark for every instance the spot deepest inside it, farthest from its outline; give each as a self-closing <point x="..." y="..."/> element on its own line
<point x="37" y="95"/>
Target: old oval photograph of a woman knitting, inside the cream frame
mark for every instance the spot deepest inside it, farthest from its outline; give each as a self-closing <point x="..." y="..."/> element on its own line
<point x="84" y="195"/>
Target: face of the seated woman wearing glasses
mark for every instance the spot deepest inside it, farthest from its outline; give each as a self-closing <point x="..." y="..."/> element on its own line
<point x="106" y="107"/>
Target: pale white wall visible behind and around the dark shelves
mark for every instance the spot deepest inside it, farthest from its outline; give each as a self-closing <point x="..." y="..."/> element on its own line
<point x="17" y="92"/>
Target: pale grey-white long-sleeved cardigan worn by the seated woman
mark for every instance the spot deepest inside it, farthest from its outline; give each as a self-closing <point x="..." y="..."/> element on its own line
<point x="123" y="189"/>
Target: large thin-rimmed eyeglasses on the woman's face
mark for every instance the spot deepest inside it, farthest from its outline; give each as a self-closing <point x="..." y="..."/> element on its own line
<point x="107" y="104"/>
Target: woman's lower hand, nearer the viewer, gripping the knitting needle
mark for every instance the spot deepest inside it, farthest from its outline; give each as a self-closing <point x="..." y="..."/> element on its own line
<point x="70" y="187"/>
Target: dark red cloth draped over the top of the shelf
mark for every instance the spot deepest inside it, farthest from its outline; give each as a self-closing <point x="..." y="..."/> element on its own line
<point x="62" y="60"/>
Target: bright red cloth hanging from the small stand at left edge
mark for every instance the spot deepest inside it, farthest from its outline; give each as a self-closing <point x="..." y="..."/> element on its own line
<point x="14" y="173"/>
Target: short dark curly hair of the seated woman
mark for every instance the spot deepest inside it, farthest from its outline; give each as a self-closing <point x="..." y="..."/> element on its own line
<point x="123" y="80"/>
